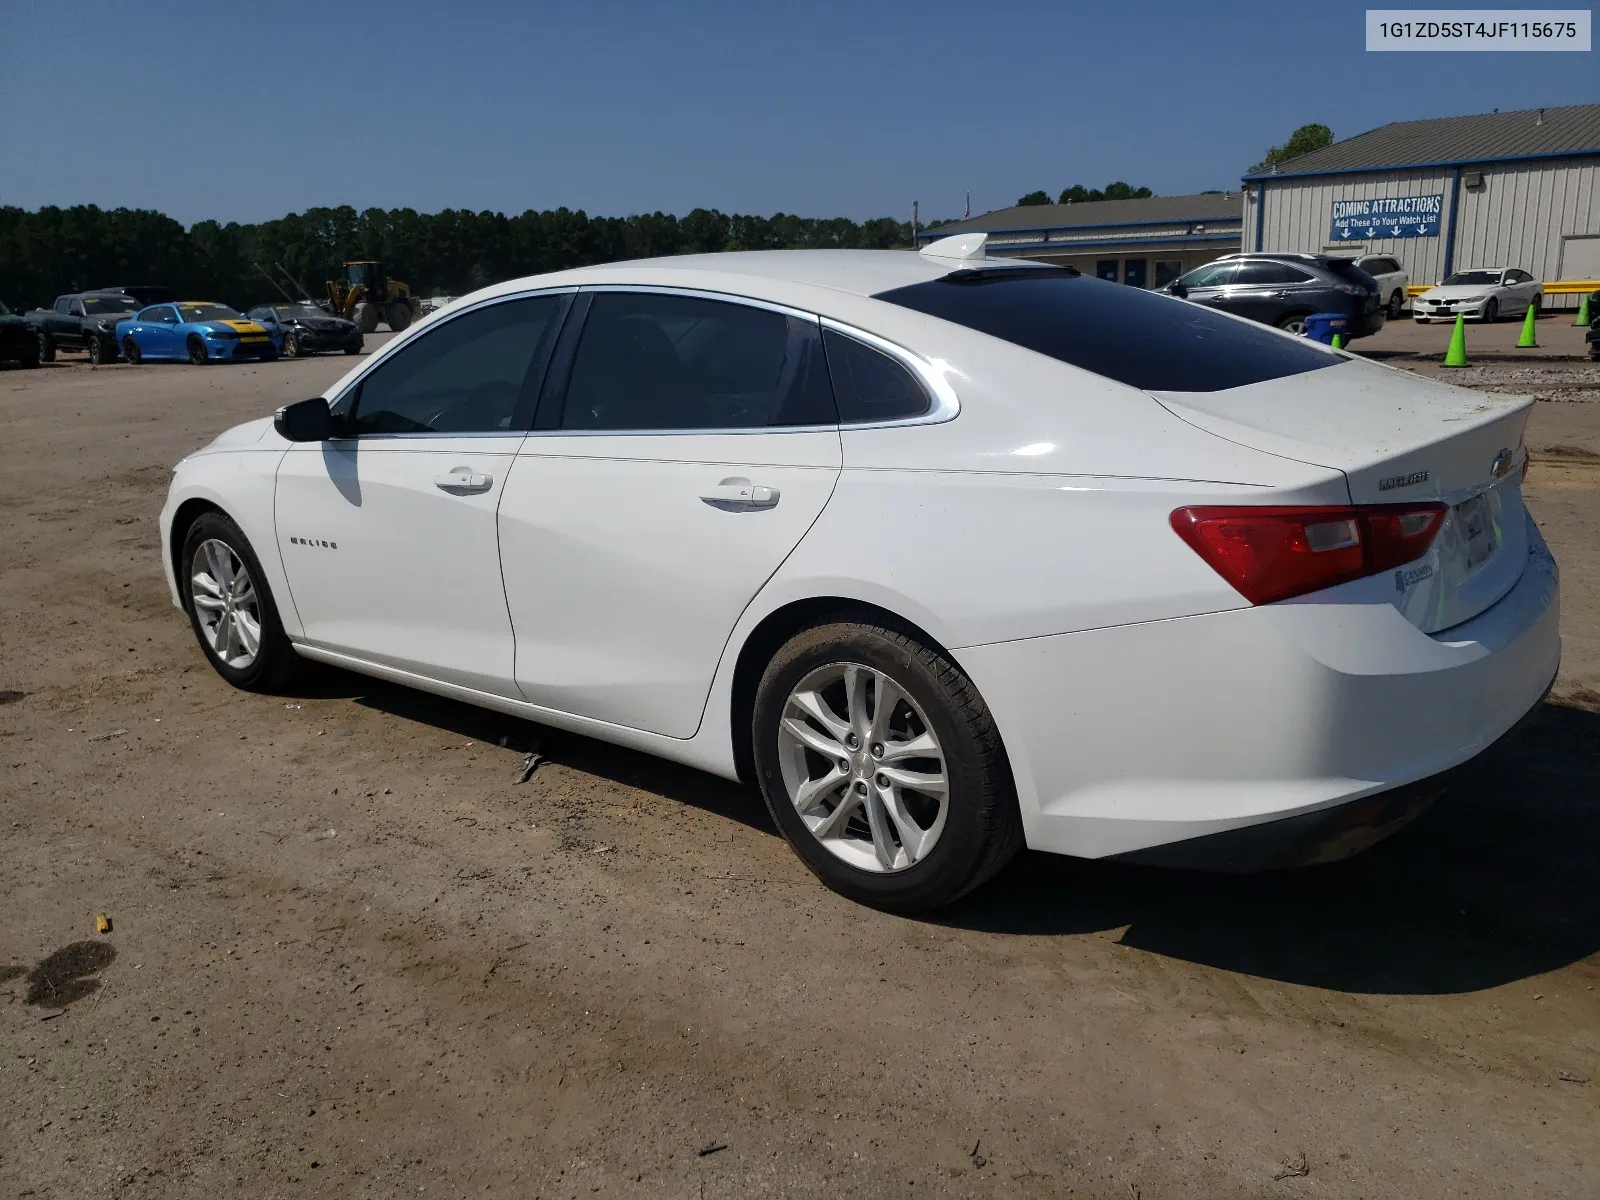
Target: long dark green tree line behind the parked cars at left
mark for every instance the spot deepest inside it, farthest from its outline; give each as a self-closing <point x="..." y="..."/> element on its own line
<point x="52" y="252"/>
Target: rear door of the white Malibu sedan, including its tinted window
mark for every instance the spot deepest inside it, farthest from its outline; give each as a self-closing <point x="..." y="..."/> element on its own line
<point x="684" y="447"/>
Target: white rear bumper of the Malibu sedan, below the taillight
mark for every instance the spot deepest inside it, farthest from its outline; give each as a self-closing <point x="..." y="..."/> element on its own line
<point x="1158" y="734"/>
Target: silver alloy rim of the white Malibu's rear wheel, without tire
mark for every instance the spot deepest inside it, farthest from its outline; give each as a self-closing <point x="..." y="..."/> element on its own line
<point x="863" y="767"/>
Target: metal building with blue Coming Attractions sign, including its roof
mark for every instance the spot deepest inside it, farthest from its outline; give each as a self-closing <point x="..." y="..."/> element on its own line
<point x="1514" y="190"/>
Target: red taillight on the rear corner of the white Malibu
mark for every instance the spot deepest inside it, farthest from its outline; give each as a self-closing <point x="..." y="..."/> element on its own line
<point x="1273" y="554"/>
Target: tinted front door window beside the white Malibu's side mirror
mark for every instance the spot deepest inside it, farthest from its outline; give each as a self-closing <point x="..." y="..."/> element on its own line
<point x="466" y="377"/>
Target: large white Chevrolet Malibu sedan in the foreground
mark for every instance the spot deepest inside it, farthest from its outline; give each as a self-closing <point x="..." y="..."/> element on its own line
<point x="950" y="554"/>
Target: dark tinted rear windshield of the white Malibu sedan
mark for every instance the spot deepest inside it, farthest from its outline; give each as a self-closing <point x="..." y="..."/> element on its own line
<point x="1135" y="337"/>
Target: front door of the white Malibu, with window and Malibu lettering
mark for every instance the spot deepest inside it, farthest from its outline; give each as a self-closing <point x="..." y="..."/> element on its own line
<point x="390" y="532"/>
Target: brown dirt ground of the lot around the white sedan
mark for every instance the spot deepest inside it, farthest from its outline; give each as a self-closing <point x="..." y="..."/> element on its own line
<point x="353" y="958"/>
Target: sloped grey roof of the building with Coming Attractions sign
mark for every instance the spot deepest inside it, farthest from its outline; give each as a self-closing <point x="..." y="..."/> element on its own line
<point x="1529" y="134"/>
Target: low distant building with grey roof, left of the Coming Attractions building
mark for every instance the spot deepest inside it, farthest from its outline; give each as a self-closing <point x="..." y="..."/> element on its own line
<point x="1142" y="242"/>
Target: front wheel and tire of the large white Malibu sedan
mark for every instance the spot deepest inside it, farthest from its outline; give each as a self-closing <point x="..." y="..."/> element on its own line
<point x="231" y="609"/>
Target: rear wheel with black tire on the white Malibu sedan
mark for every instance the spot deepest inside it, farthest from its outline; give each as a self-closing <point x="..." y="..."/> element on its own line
<point x="882" y="767"/>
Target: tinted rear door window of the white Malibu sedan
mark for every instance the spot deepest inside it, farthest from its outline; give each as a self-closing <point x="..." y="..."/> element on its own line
<point x="657" y="362"/>
